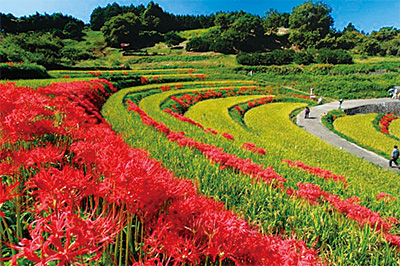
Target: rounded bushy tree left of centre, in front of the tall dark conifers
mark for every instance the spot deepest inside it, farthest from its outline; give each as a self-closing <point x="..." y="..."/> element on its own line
<point x="123" y="28"/>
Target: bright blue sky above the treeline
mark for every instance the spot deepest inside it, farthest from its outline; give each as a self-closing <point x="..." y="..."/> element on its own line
<point x="366" y="15"/>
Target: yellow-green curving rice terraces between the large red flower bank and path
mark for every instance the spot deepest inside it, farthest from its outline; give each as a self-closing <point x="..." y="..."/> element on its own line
<point x="277" y="208"/>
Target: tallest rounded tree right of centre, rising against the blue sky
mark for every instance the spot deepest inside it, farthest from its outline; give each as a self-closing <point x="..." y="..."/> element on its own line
<point x="309" y="23"/>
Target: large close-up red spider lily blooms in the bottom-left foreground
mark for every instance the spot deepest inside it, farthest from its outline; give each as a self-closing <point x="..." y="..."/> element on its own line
<point x="65" y="238"/>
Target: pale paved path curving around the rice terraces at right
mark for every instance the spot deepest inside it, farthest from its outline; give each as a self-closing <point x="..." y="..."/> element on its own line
<point x="315" y="127"/>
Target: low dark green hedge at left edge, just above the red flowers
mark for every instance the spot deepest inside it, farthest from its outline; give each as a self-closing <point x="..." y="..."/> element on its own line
<point x="22" y="71"/>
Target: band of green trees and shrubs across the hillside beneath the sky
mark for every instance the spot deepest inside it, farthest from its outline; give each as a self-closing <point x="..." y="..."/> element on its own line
<point x="306" y="35"/>
